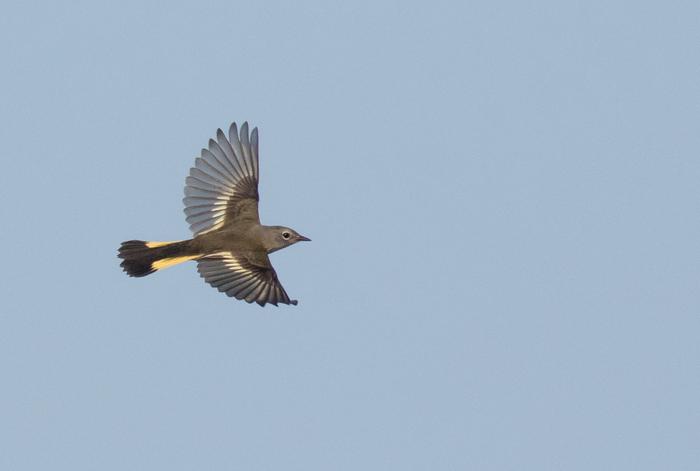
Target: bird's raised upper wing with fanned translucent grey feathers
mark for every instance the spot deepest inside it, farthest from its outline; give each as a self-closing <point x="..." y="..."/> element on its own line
<point x="223" y="184"/>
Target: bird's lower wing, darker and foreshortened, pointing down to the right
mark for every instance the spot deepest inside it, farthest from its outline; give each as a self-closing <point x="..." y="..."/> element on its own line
<point x="244" y="276"/>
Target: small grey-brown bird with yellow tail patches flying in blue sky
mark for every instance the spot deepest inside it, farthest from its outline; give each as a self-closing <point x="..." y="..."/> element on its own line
<point x="230" y="245"/>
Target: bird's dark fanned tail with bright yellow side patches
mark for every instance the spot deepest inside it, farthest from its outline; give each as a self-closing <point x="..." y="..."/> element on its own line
<point x="141" y="258"/>
